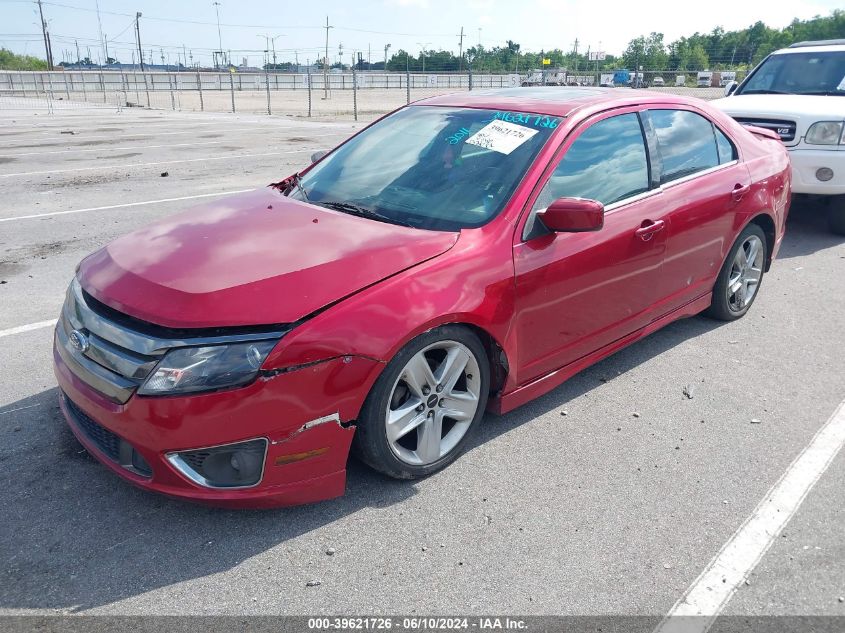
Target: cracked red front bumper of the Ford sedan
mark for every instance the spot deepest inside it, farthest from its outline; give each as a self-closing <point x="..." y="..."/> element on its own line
<point x="304" y="415"/>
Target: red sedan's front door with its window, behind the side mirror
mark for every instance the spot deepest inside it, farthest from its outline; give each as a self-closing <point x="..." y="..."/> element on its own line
<point x="577" y="292"/>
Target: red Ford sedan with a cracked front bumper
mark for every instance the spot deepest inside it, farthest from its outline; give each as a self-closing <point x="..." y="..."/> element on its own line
<point x="464" y="253"/>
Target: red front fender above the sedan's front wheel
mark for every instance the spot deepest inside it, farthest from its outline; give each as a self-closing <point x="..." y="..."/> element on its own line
<point x="472" y="283"/>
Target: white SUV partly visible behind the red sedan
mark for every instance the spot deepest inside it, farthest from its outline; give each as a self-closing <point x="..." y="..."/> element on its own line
<point x="799" y="92"/>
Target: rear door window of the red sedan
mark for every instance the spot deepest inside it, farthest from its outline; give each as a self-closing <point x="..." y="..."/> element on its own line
<point x="686" y="143"/>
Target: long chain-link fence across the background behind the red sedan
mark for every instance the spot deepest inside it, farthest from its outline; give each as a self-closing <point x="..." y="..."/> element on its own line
<point x="351" y="94"/>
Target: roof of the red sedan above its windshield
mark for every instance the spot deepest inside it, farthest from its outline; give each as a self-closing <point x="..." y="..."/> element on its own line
<point x="551" y="100"/>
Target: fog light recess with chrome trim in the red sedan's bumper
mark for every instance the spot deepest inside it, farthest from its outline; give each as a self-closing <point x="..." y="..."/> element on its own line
<point x="239" y="465"/>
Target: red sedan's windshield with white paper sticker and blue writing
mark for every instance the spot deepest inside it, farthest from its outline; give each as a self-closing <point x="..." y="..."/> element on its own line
<point x="430" y="167"/>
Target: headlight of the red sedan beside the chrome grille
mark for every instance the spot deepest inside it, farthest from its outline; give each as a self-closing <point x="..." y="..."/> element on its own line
<point x="193" y="369"/>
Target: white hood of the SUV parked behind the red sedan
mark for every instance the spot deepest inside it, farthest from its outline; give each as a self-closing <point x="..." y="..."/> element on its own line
<point x="792" y="107"/>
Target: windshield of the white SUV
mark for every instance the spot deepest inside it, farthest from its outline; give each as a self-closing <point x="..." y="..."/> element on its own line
<point x="813" y="72"/>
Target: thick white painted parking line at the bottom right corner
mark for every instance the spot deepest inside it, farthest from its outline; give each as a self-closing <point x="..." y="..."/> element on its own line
<point x="711" y="591"/>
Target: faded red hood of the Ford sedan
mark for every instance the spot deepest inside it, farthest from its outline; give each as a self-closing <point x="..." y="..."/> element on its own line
<point x="253" y="259"/>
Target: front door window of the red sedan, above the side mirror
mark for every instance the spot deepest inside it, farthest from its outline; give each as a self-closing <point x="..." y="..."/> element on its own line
<point x="607" y="162"/>
